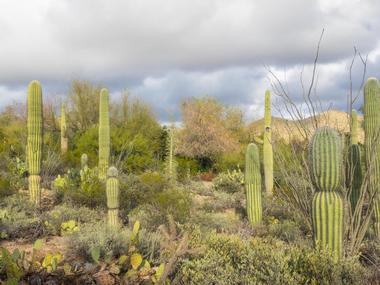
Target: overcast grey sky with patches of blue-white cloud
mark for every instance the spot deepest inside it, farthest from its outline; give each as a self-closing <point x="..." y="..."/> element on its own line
<point x="165" y="51"/>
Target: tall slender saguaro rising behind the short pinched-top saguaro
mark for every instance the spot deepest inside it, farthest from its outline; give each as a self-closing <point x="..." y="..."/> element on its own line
<point x="104" y="134"/>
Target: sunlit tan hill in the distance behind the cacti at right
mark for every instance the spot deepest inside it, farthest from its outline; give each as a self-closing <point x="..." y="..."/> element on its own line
<point x="290" y="129"/>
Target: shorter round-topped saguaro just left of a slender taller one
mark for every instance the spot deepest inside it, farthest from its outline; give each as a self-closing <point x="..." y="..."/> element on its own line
<point x="253" y="184"/>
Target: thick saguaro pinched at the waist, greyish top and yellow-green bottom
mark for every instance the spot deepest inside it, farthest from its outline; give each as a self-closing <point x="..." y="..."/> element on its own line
<point x="326" y="172"/>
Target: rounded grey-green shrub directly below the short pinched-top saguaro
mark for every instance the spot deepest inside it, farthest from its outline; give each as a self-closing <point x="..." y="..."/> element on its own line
<point x="111" y="242"/>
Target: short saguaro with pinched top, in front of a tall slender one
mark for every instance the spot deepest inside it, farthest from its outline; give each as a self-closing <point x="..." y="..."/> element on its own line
<point x="113" y="196"/>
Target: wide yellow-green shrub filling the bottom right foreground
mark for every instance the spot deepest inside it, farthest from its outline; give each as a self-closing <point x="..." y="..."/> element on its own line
<point x="228" y="259"/>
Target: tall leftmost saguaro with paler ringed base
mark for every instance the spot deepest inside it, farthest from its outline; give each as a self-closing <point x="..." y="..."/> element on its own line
<point x="34" y="141"/>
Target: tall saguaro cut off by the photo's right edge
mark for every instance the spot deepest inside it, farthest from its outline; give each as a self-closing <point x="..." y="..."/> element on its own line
<point x="372" y="141"/>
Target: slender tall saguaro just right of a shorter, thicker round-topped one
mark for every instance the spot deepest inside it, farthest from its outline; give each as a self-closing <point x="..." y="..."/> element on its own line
<point x="267" y="146"/>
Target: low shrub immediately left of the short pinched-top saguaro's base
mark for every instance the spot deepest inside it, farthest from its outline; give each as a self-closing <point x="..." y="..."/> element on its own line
<point x="54" y="219"/>
